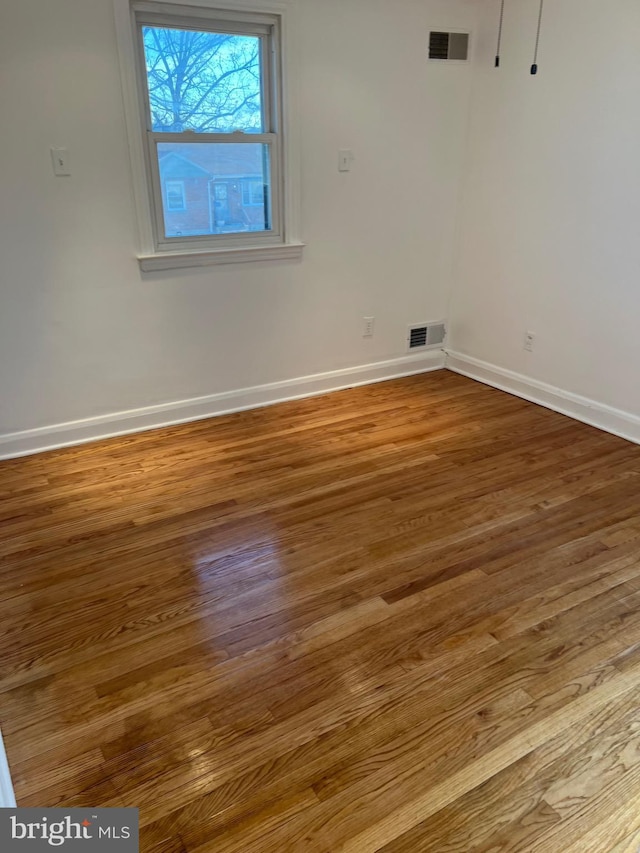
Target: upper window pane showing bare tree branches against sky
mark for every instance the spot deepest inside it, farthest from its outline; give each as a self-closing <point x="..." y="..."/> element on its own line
<point x="203" y="81"/>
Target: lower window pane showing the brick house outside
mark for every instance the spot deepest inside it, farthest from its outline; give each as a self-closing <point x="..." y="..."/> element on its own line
<point x="225" y="187"/>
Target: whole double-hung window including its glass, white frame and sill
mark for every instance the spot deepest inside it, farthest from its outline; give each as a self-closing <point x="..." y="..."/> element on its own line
<point x="207" y="95"/>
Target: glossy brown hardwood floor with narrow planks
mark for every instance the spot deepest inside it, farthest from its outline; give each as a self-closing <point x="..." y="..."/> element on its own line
<point x="399" y="618"/>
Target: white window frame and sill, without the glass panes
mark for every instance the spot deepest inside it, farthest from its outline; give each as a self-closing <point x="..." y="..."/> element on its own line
<point x="155" y="251"/>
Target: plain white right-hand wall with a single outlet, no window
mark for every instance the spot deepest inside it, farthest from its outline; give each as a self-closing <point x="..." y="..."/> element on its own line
<point x="549" y="236"/>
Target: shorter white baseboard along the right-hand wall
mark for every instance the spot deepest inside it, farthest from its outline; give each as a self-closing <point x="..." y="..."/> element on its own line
<point x="616" y="421"/>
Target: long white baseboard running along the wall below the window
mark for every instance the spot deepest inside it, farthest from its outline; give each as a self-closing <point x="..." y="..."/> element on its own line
<point x="168" y="414"/>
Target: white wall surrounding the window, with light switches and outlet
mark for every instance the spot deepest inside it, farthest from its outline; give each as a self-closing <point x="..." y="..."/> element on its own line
<point x="84" y="334"/>
